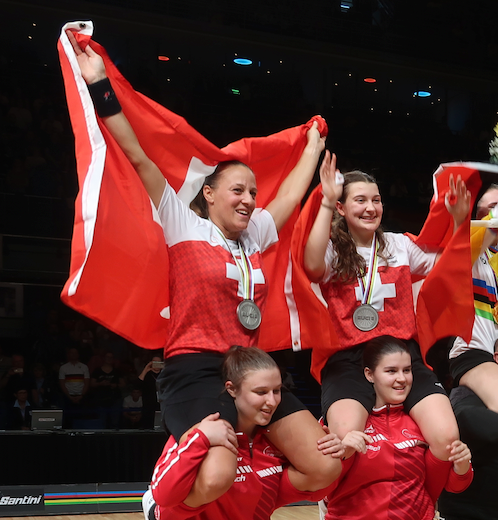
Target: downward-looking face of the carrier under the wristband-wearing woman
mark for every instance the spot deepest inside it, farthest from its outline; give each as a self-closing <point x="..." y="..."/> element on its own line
<point x="256" y="398"/>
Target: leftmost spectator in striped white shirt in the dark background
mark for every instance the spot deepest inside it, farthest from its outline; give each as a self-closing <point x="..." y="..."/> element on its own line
<point x="74" y="381"/>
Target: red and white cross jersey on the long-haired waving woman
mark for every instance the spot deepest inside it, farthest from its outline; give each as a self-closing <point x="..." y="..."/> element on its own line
<point x="392" y="296"/>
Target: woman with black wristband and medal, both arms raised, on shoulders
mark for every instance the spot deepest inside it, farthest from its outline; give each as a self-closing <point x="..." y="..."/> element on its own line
<point x="210" y="309"/>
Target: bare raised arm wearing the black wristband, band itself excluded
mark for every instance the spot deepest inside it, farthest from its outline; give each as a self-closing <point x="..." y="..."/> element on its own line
<point x="93" y="71"/>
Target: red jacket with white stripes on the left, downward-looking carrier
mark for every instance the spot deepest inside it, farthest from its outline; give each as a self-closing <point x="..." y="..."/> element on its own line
<point x="261" y="485"/>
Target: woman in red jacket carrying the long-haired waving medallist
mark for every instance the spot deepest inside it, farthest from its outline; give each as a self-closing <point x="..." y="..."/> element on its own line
<point x="386" y="477"/>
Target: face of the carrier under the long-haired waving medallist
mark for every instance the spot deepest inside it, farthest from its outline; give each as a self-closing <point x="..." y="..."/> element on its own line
<point x="392" y="378"/>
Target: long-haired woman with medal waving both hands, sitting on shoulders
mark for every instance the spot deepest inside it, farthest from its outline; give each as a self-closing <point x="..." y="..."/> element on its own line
<point x="363" y="307"/>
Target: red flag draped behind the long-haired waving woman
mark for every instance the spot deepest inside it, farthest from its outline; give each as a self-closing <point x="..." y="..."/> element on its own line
<point x="445" y="302"/>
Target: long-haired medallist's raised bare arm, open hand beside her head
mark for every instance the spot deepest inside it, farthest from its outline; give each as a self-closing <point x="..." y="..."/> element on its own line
<point x="316" y="246"/>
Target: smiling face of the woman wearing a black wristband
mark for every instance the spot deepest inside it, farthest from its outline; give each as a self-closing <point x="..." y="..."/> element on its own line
<point x="232" y="200"/>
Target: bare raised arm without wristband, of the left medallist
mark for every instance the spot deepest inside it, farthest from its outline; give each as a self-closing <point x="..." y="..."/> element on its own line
<point x="294" y="187"/>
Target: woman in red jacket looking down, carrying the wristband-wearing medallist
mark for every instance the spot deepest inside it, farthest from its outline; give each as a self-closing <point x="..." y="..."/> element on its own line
<point x="263" y="481"/>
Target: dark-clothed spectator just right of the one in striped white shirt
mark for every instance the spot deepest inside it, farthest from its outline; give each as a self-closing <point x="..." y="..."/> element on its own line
<point x="105" y="385"/>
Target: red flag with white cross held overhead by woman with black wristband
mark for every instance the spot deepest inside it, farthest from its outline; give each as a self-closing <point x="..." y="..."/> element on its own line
<point x="119" y="260"/>
